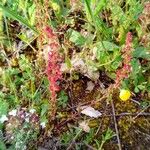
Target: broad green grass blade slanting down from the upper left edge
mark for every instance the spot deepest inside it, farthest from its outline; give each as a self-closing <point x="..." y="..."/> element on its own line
<point x="11" y="14"/>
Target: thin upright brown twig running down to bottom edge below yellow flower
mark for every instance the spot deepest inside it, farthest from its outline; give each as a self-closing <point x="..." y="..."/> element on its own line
<point x="116" y="127"/>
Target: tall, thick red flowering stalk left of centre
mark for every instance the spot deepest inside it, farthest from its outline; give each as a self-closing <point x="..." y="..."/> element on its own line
<point x="53" y="67"/>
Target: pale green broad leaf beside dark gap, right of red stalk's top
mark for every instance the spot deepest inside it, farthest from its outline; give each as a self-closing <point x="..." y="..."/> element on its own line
<point x="76" y="37"/>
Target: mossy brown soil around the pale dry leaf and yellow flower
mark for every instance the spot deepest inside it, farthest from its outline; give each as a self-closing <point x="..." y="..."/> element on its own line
<point x="134" y="128"/>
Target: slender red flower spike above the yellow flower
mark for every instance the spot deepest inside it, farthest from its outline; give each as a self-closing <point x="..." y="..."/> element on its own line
<point x="127" y="56"/>
